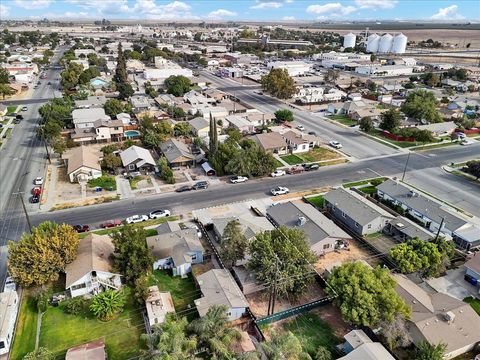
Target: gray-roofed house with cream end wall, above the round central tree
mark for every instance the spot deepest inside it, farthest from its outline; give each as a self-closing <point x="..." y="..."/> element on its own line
<point x="322" y="234"/>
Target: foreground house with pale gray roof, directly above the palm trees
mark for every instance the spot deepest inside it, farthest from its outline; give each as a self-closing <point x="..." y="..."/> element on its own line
<point x="219" y="288"/>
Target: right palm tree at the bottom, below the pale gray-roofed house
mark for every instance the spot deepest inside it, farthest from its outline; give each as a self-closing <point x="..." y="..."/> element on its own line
<point x="213" y="333"/>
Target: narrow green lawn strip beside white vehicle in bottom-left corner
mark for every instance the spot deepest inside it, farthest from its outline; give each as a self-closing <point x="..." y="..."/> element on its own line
<point x="26" y="328"/>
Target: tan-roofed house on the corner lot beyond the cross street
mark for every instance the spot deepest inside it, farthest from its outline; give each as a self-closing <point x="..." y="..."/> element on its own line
<point x="82" y="163"/>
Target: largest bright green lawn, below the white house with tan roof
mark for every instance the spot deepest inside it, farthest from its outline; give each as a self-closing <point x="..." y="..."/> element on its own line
<point x="61" y="331"/>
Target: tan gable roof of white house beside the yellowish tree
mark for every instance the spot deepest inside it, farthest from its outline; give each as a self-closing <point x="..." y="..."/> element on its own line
<point x="93" y="254"/>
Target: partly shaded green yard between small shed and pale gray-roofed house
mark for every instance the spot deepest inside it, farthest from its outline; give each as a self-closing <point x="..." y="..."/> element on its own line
<point x="183" y="291"/>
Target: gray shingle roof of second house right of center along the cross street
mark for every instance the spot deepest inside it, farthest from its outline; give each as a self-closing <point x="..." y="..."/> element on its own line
<point x="355" y="206"/>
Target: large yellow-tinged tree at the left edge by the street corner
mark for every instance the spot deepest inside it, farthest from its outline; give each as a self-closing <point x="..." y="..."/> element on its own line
<point x="40" y="256"/>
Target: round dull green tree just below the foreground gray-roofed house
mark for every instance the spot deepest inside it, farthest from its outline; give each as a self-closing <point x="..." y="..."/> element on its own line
<point x="285" y="255"/>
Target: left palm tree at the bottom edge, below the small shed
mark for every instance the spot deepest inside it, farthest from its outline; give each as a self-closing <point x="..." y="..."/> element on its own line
<point x="169" y="340"/>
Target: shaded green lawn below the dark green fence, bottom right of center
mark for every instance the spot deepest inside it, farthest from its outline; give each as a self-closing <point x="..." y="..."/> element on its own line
<point x="312" y="332"/>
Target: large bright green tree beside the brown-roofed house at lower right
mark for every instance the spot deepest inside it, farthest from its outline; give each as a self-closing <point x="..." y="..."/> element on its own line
<point x="366" y="296"/>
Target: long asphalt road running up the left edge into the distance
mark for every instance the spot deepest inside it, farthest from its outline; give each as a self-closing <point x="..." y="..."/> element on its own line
<point x="22" y="159"/>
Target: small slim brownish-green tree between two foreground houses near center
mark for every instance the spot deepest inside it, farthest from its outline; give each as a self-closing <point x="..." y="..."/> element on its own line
<point x="234" y="244"/>
